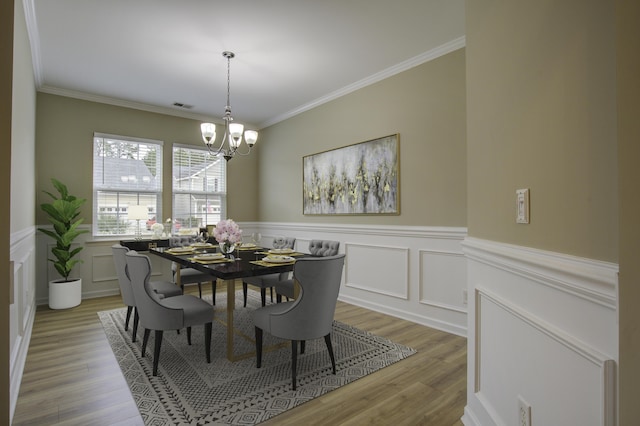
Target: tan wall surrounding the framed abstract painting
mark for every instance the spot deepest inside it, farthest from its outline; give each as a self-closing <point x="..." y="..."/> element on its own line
<point x="424" y="105"/>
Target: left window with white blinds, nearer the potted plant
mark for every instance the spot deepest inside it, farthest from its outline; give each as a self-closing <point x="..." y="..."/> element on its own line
<point x="126" y="172"/>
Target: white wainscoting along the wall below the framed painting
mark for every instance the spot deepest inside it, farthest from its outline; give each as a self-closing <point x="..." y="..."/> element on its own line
<point x="414" y="273"/>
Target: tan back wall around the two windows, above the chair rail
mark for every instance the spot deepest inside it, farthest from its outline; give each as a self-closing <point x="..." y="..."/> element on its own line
<point x="64" y="143"/>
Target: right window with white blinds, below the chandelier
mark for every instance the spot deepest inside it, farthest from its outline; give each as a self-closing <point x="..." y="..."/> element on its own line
<point x="199" y="188"/>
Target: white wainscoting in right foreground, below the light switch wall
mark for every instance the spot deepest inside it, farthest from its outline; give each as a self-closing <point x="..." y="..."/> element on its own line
<point x="542" y="328"/>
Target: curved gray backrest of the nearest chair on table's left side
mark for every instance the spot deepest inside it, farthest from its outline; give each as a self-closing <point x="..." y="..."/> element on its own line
<point x="153" y="315"/>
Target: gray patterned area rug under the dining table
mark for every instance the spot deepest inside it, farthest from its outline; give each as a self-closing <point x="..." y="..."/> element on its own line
<point x="188" y="391"/>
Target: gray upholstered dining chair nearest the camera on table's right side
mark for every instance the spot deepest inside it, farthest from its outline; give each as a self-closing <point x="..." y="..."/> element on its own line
<point x="308" y="317"/>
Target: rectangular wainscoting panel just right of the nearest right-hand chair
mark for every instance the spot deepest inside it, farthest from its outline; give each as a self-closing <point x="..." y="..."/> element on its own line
<point x="378" y="269"/>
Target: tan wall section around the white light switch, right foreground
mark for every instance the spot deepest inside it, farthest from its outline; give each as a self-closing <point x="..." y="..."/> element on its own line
<point x="541" y="115"/>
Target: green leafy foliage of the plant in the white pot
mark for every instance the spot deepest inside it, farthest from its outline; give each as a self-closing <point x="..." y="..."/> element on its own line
<point x="63" y="213"/>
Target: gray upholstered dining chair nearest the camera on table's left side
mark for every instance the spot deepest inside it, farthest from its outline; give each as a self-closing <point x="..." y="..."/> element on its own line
<point x="172" y="313"/>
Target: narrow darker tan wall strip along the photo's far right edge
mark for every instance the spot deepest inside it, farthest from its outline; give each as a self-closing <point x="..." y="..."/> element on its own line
<point x="628" y="46"/>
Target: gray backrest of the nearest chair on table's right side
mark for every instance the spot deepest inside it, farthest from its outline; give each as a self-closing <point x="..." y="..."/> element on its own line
<point x="311" y="315"/>
